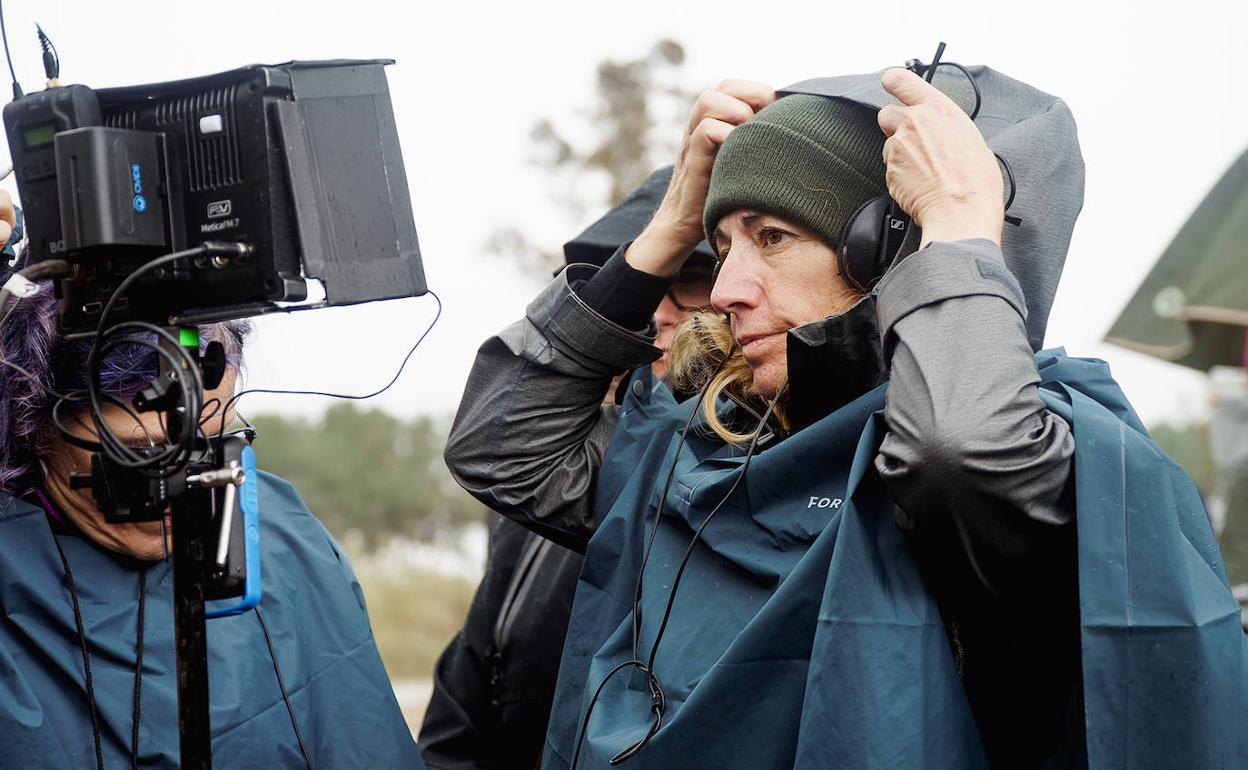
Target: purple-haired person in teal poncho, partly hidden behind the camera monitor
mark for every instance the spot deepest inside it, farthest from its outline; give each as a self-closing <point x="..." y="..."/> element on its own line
<point x="87" y="637"/>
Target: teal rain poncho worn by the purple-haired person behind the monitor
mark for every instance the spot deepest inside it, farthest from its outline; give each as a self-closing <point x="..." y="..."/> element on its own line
<point x="313" y="605"/>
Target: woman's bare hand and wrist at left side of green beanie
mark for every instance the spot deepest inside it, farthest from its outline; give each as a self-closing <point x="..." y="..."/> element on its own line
<point x="677" y="228"/>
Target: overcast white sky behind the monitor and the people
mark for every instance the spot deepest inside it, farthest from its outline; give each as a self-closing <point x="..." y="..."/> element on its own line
<point x="1158" y="89"/>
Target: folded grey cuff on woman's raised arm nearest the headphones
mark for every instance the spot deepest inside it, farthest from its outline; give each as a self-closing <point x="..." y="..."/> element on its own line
<point x="943" y="271"/>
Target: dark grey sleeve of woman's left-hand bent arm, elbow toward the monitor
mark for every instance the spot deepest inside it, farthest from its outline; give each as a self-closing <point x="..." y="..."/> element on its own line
<point x="532" y="430"/>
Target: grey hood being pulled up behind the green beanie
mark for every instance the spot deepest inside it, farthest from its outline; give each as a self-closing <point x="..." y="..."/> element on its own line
<point x="1035" y="134"/>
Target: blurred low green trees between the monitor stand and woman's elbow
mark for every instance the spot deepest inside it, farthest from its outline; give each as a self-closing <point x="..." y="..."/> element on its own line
<point x="368" y="471"/>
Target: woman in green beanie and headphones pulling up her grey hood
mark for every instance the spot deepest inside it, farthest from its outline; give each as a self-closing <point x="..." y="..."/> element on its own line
<point x="848" y="537"/>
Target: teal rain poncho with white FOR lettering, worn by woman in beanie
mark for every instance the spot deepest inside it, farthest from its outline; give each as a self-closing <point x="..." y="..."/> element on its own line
<point x="862" y="675"/>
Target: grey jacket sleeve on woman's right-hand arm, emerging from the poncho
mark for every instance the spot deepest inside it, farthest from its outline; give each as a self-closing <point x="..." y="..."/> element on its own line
<point x="973" y="457"/>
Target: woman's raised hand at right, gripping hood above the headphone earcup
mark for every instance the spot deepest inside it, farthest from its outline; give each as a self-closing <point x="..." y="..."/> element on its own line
<point x="939" y="168"/>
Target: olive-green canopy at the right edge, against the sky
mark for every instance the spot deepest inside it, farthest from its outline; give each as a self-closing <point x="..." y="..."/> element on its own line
<point x="1192" y="309"/>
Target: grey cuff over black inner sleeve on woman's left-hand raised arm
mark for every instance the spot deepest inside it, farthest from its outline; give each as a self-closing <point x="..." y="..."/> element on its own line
<point x="576" y="329"/>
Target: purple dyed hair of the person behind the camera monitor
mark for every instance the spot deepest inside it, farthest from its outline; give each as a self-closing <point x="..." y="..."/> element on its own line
<point x="29" y="340"/>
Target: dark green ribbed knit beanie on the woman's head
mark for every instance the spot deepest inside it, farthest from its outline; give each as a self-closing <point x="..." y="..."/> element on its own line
<point x="808" y="159"/>
